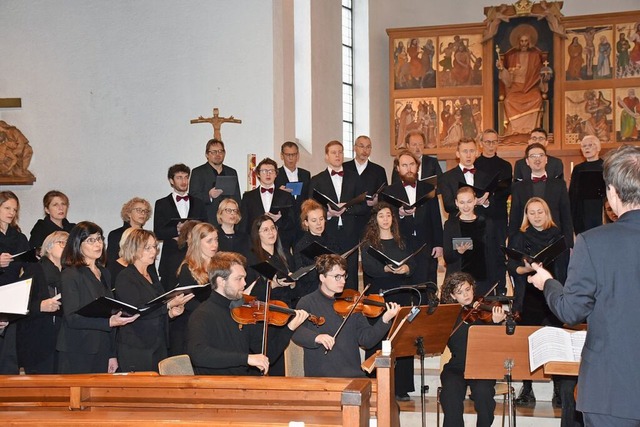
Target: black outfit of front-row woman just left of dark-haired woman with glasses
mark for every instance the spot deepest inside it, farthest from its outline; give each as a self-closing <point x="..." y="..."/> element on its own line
<point x="37" y="333"/>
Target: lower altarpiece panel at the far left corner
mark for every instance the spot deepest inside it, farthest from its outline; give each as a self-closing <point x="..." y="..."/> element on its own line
<point x="416" y="114"/>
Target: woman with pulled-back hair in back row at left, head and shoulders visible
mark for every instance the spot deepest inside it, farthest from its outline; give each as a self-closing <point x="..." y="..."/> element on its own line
<point x="56" y="207"/>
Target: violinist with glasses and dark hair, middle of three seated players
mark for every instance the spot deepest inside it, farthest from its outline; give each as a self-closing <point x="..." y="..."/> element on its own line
<point x="328" y="355"/>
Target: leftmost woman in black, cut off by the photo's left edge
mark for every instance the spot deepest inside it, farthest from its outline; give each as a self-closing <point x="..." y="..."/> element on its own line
<point x="12" y="242"/>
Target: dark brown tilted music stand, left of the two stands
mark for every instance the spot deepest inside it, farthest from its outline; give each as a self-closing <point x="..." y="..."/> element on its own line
<point x="427" y="334"/>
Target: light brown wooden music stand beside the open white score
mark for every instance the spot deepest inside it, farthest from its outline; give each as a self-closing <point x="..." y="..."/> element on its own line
<point x="490" y="351"/>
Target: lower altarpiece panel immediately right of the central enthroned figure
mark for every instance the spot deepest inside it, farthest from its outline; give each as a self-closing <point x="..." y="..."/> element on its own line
<point x="588" y="112"/>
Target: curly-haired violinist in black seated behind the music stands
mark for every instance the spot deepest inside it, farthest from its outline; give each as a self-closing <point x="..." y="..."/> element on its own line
<point x="459" y="287"/>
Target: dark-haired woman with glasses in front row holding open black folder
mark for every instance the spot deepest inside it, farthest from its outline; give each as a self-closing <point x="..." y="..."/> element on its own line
<point x="86" y="344"/>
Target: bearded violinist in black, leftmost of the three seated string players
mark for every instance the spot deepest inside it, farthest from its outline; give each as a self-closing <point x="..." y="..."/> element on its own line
<point x="217" y="345"/>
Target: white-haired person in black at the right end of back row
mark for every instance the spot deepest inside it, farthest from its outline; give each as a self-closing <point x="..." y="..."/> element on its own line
<point x="586" y="189"/>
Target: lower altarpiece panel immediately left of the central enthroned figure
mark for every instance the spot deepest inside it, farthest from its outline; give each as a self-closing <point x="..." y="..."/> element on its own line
<point x="460" y="117"/>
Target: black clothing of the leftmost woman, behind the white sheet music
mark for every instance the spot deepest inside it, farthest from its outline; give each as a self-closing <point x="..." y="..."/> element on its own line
<point x="13" y="242"/>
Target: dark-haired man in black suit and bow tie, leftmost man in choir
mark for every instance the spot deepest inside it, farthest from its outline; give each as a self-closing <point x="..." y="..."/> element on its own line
<point x="178" y="204"/>
